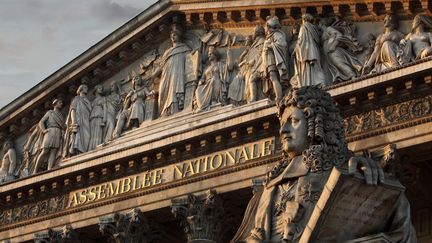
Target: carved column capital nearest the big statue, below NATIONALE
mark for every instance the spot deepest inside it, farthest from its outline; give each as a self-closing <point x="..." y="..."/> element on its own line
<point x="201" y="216"/>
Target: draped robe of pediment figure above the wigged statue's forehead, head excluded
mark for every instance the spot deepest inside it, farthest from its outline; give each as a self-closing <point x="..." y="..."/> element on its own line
<point x="275" y="59"/>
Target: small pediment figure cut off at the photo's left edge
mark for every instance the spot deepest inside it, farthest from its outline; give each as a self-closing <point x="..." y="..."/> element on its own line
<point x="9" y="162"/>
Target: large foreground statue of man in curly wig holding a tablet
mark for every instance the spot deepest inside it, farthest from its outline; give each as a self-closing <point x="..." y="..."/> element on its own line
<point x="313" y="143"/>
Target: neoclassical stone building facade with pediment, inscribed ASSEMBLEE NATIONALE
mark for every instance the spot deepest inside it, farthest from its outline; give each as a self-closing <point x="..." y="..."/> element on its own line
<point x="166" y="130"/>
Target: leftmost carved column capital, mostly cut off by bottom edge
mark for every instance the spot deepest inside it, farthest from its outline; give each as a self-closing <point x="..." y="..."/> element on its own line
<point x="66" y="235"/>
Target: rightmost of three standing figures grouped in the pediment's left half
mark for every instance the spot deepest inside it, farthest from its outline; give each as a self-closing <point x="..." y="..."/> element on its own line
<point x="113" y="106"/>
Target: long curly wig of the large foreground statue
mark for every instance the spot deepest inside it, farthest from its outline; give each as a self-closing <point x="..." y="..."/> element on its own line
<point x="326" y="138"/>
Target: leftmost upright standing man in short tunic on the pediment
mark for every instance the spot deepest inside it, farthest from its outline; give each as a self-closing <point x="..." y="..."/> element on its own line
<point x="52" y="126"/>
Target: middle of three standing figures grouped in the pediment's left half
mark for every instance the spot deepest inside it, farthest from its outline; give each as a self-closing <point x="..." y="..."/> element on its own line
<point x="98" y="117"/>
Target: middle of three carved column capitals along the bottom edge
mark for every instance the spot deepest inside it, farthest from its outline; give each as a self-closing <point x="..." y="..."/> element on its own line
<point x="131" y="227"/>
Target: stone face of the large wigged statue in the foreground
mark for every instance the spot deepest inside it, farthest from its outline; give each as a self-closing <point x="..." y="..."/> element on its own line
<point x="293" y="131"/>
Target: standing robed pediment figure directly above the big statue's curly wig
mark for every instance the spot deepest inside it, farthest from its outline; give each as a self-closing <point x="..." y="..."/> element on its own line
<point x="307" y="58"/>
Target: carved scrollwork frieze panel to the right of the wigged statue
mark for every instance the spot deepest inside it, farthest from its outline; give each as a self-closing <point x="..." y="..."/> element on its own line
<point x="388" y="115"/>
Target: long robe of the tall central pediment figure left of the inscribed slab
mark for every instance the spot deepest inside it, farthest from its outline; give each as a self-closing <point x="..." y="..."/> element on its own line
<point x="173" y="77"/>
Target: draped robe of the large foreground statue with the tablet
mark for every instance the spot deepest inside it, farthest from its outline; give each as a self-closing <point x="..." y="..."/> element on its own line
<point x="286" y="204"/>
